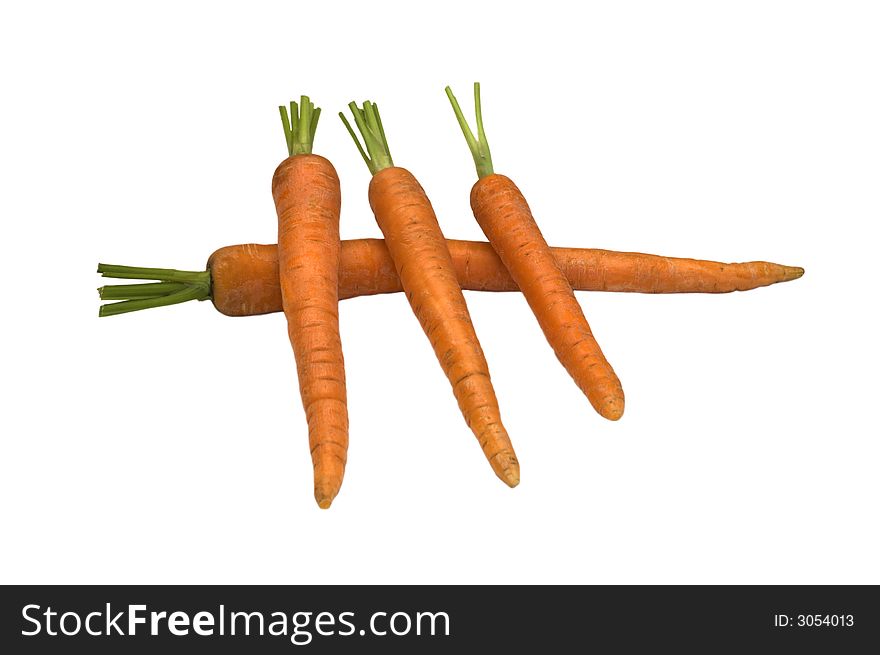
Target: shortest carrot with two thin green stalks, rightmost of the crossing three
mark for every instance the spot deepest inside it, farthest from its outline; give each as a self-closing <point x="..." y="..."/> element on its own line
<point x="506" y="220"/>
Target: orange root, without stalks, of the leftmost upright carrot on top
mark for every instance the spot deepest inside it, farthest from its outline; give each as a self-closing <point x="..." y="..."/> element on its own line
<point x="307" y="199"/>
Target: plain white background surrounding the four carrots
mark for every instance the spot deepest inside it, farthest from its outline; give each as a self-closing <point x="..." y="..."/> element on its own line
<point x="170" y="445"/>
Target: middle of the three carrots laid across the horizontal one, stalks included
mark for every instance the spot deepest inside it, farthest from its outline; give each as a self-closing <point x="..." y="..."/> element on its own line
<point x="424" y="266"/>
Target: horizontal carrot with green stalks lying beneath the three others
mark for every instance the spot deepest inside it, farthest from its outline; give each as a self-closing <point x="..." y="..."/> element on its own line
<point x="242" y="280"/>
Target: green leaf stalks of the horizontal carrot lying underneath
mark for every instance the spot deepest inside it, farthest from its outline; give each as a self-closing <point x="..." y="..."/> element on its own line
<point x="169" y="287"/>
